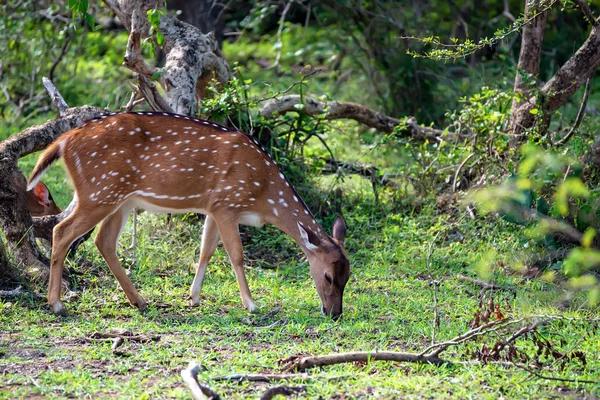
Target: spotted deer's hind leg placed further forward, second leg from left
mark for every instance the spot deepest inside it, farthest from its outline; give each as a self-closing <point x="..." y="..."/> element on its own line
<point x="106" y="241"/>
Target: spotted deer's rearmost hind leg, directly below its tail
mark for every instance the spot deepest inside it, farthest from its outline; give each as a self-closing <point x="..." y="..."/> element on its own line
<point x="64" y="234"/>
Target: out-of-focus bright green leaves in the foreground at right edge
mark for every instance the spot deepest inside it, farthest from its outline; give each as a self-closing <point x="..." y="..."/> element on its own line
<point x="562" y="205"/>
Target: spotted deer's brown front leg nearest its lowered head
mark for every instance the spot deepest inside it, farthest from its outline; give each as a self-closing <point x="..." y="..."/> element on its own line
<point x="230" y="236"/>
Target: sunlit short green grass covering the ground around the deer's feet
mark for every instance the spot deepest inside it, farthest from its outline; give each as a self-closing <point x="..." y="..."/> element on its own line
<point x="388" y="306"/>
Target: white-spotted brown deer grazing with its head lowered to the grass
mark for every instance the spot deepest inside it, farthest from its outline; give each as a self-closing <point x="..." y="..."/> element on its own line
<point x="172" y="163"/>
